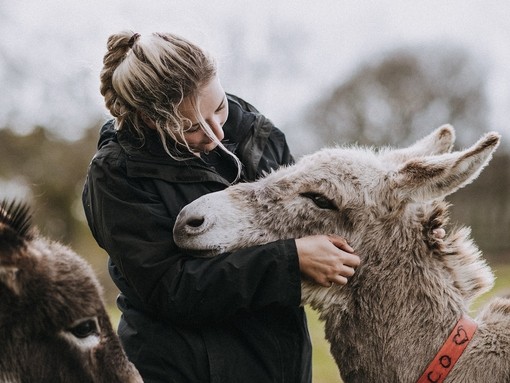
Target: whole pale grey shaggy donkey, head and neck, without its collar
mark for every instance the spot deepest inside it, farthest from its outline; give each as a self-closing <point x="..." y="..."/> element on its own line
<point x="392" y="317"/>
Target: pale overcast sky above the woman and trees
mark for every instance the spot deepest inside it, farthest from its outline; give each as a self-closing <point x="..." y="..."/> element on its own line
<point x="51" y="51"/>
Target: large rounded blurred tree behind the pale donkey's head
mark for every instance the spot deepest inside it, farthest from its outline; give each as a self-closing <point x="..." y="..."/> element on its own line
<point x="397" y="98"/>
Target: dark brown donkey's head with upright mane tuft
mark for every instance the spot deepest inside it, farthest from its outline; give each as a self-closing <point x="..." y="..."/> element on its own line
<point x="53" y="324"/>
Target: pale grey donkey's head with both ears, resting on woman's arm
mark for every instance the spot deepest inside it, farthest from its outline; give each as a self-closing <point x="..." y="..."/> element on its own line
<point x="337" y="190"/>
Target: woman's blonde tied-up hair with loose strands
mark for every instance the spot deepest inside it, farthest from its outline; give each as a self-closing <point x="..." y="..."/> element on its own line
<point x="151" y="77"/>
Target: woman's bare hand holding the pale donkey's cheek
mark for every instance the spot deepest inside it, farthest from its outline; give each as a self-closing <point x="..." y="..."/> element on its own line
<point x="326" y="259"/>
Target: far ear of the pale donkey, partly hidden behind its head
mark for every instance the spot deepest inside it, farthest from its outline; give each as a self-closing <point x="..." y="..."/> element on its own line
<point x="438" y="142"/>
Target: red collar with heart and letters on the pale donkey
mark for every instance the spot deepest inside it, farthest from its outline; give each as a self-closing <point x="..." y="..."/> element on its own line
<point x="452" y="349"/>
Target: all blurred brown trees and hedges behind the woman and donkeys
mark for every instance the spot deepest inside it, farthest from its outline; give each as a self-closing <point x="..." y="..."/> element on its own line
<point x="393" y="99"/>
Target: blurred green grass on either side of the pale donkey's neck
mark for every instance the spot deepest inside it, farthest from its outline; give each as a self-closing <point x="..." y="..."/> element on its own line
<point x="324" y="368"/>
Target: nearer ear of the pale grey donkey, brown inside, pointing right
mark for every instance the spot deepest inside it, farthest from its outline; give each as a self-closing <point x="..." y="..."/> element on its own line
<point x="427" y="178"/>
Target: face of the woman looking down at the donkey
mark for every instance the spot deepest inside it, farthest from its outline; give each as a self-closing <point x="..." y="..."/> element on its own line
<point x="213" y="106"/>
